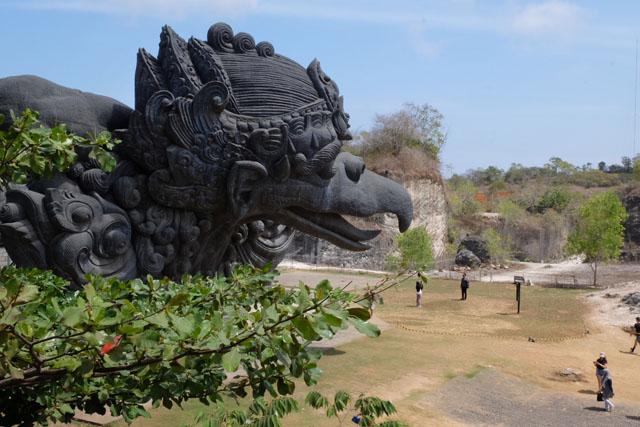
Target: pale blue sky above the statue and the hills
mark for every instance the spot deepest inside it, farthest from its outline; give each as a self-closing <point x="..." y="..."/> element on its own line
<point x="517" y="80"/>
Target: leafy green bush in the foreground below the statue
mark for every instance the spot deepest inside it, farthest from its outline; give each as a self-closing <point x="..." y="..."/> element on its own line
<point x="120" y="344"/>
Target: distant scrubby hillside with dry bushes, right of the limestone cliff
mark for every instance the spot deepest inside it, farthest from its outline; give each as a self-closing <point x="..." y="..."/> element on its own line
<point x="532" y="209"/>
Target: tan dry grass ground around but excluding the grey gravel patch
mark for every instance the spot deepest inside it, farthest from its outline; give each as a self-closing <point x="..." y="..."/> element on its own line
<point x="448" y="338"/>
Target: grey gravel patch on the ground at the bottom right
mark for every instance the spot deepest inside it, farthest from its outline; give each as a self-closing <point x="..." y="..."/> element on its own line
<point x="492" y="398"/>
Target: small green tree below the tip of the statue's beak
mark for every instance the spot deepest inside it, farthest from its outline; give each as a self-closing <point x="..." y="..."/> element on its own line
<point x="416" y="251"/>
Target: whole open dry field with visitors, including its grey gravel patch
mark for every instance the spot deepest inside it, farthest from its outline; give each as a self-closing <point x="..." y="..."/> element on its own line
<point x="474" y="354"/>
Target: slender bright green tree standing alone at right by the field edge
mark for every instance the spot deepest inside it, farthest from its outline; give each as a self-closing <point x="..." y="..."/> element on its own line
<point x="599" y="232"/>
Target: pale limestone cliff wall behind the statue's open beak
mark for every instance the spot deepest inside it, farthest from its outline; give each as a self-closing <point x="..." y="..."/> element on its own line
<point x="429" y="210"/>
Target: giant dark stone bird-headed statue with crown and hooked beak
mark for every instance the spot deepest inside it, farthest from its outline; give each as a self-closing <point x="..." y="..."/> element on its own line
<point x="231" y="148"/>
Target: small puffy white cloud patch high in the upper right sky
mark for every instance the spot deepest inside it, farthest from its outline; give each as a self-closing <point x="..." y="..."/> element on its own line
<point x="550" y="19"/>
